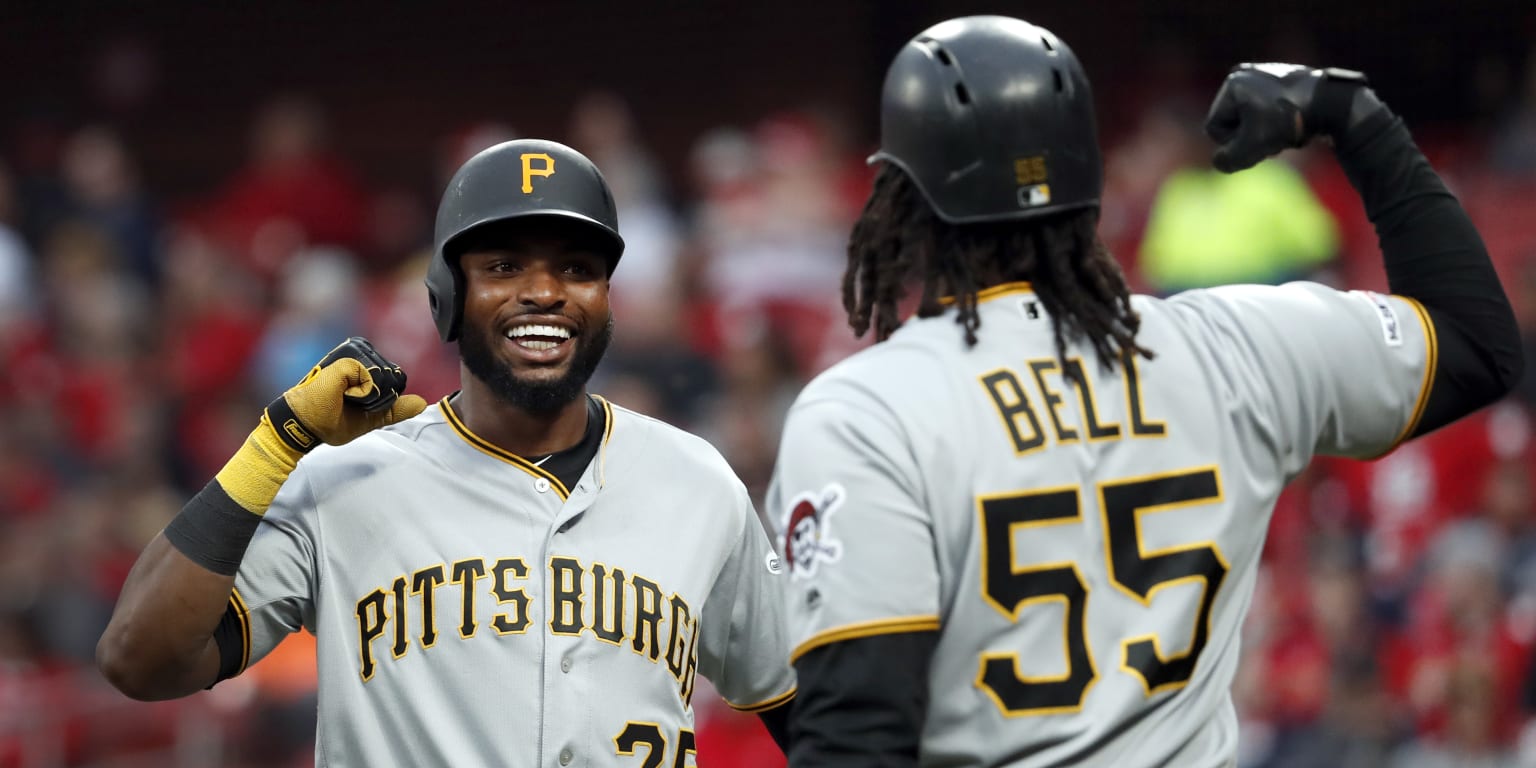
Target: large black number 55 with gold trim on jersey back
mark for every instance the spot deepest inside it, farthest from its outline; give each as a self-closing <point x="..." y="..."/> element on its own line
<point x="1133" y="571"/>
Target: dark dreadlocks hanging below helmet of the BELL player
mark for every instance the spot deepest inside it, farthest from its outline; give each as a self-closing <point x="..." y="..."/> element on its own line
<point x="899" y="240"/>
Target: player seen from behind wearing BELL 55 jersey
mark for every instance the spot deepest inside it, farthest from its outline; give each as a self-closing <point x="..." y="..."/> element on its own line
<point x="1024" y="529"/>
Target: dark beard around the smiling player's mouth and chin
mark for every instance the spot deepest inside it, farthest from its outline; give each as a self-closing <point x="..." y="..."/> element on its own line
<point x="534" y="397"/>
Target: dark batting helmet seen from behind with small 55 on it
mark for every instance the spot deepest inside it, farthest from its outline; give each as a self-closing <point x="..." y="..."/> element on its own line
<point x="993" y="119"/>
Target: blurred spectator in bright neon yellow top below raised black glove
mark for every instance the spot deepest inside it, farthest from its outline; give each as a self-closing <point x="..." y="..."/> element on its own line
<point x="1208" y="228"/>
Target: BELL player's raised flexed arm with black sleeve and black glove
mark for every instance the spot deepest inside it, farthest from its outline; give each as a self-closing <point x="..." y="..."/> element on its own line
<point x="1431" y="250"/>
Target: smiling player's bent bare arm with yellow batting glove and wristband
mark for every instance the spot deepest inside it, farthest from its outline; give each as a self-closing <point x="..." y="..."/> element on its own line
<point x="161" y="643"/>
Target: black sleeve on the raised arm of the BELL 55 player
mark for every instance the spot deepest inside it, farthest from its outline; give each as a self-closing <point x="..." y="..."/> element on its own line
<point x="1434" y="254"/>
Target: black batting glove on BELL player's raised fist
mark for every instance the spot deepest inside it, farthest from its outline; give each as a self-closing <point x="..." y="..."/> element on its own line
<point x="1263" y="110"/>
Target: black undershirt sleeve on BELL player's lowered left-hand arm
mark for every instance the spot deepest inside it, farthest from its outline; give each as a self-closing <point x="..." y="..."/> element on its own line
<point x="862" y="703"/>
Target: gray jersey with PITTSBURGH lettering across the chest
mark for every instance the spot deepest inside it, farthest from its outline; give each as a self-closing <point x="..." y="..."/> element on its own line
<point x="472" y="611"/>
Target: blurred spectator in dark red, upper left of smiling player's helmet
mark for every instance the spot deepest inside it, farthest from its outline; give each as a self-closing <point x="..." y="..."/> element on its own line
<point x="294" y="190"/>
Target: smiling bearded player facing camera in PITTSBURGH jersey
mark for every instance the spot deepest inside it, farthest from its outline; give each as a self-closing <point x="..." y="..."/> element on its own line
<point x="523" y="575"/>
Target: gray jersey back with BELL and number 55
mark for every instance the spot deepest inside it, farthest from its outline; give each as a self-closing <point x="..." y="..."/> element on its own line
<point x="1085" y="552"/>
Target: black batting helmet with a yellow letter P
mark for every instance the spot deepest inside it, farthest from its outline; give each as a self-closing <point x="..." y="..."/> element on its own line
<point x="529" y="177"/>
